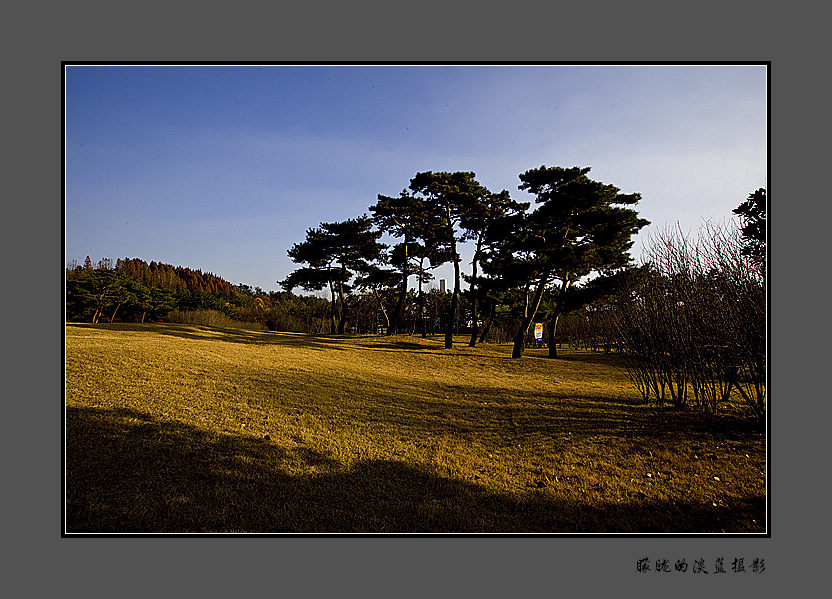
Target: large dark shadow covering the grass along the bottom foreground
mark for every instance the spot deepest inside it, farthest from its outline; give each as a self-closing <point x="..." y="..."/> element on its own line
<point x="128" y="473"/>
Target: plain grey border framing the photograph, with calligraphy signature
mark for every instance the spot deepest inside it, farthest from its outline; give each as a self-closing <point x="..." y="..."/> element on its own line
<point x="400" y="566"/>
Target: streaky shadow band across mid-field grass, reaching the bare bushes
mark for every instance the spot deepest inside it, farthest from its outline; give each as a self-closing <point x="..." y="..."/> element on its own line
<point x="561" y="420"/>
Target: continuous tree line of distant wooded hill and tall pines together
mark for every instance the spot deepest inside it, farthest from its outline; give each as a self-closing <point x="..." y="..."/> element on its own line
<point x="525" y="267"/>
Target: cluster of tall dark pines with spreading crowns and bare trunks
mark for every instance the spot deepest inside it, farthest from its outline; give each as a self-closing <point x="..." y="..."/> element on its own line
<point x="521" y="257"/>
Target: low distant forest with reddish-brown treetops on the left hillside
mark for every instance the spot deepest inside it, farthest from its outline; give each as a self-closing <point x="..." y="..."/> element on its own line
<point x="132" y="290"/>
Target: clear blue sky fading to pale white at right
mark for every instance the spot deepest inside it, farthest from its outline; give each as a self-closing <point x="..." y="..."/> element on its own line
<point x="223" y="168"/>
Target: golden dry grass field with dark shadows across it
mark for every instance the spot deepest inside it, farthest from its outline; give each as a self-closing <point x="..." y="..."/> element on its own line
<point x="181" y="428"/>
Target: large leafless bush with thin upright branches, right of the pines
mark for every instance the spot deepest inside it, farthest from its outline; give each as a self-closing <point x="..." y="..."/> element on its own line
<point x="693" y="328"/>
